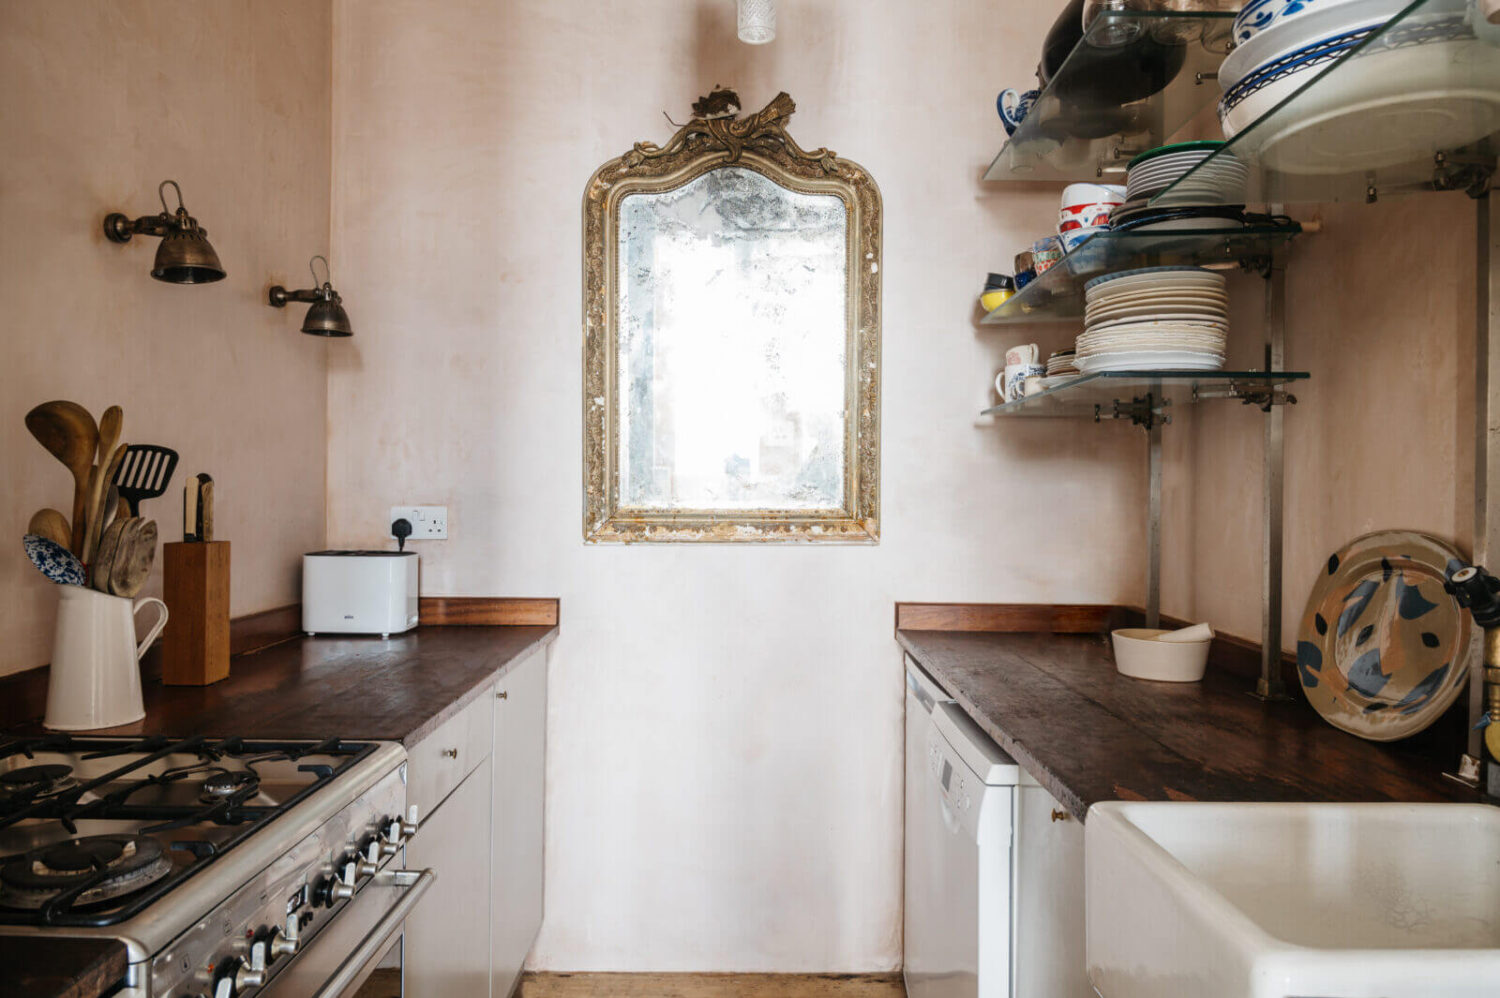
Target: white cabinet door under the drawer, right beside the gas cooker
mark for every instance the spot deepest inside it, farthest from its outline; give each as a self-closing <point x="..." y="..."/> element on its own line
<point x="446" y="949"/>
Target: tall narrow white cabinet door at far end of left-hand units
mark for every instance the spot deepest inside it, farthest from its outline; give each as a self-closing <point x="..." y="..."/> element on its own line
<point x="520" y="757"/>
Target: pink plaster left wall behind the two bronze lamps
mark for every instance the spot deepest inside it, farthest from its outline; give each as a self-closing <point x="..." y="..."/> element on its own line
<point x="98" y="104"/>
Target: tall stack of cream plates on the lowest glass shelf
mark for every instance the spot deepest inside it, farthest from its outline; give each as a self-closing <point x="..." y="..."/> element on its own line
<point x="1157" y="319"/>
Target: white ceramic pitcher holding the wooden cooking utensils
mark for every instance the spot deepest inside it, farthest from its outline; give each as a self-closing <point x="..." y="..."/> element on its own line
<point x="97" y="664"/>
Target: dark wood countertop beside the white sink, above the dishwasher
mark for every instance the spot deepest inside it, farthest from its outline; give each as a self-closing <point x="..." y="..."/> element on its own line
<point x="1057" y="705"/>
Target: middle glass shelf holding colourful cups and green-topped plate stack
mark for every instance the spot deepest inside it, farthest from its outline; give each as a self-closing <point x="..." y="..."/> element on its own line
<point x="1058" y="293"/>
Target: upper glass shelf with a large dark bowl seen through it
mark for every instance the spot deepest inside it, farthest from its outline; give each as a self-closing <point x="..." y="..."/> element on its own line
<point x="1109" y="101"/>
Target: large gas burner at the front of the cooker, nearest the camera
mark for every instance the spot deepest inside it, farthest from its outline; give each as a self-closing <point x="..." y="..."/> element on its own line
<point x="104" y="867"/>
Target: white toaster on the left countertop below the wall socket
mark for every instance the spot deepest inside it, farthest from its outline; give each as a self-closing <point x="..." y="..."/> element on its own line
<point x="359" y="592"/>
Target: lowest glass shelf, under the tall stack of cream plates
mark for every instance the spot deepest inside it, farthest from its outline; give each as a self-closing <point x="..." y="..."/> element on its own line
<point x="1096" y="395"/>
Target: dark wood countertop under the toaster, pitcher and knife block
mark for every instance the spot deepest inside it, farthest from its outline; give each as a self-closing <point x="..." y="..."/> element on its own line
<point x="316" y="688"/>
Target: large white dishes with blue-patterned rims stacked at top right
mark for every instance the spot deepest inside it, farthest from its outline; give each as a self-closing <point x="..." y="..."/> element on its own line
<point x="1429" y="83"/>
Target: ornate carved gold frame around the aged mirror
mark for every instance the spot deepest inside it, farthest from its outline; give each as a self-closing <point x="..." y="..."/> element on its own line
<point x="718" y="139"/>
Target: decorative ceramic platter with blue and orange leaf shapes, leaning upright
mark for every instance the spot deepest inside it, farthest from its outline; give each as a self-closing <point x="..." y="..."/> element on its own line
<point x="1384" y="649"/>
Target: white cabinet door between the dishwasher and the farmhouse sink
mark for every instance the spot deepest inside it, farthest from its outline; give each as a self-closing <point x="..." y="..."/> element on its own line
<point x="1049" y="900"/>
